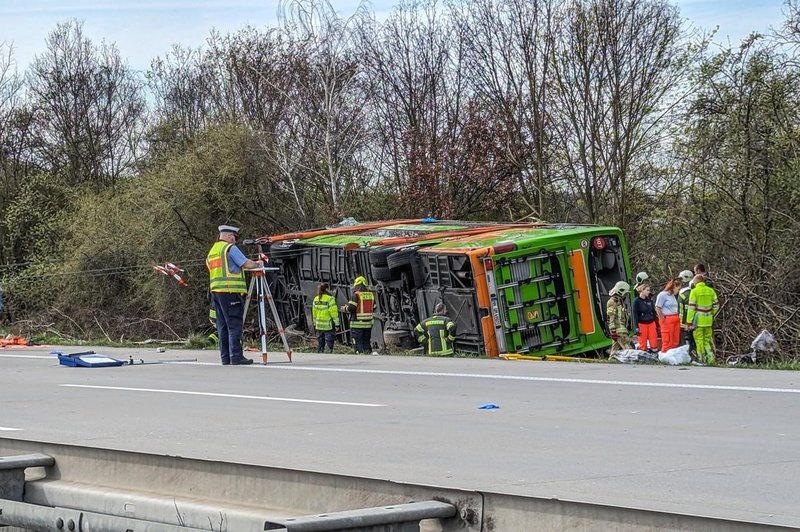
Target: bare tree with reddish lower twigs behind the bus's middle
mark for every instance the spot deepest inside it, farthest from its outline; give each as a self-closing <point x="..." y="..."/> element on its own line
<point x="414" y="70"/>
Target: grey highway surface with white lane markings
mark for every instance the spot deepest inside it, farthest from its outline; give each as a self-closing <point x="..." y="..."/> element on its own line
<point x="721" y="442"/>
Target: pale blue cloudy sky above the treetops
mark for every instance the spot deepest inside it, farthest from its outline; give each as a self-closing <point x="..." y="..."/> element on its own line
<point x="144" y="29"/>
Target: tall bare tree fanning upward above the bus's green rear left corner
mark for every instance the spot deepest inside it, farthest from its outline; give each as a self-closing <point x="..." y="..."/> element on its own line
<point x="508" y="45"/>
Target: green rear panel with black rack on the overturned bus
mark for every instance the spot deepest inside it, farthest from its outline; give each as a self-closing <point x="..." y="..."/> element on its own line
<point x="535" y="301"/>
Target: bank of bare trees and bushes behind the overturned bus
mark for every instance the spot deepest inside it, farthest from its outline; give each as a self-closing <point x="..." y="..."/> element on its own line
<point x="586" y="111"/>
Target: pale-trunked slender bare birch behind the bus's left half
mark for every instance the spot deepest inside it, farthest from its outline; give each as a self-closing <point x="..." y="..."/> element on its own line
<point x="325" y="128"/>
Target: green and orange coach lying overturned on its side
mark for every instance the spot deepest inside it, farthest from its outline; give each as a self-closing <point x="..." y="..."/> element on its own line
<point x="511" y="288"/>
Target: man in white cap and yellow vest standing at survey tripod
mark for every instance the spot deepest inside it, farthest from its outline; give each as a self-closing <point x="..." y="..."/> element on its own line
<point x="226" y="263"/>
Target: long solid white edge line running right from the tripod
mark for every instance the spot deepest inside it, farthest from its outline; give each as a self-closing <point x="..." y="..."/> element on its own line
<point x="542" y="379"/>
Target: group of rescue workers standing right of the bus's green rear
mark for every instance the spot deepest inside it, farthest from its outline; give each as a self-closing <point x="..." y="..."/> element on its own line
<point x="683" y="311"/>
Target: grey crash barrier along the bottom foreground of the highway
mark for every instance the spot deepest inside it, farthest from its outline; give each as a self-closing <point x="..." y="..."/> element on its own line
<point x="88" y="489"/>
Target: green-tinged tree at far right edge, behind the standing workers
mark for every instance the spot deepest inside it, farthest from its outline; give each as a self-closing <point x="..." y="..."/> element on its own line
<point x="742" y="159"/>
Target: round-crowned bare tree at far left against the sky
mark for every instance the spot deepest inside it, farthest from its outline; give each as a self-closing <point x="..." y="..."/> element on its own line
<point x="88" y="107"/>
